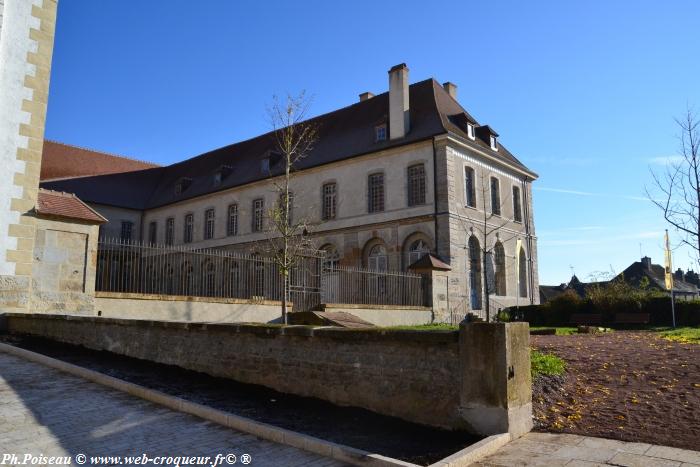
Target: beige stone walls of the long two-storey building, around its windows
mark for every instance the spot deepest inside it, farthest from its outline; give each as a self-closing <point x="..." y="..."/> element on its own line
<point x="354" y="232"/>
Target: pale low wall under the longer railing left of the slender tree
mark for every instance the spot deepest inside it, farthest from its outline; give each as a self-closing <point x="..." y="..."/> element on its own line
<point x="192" y="309"/>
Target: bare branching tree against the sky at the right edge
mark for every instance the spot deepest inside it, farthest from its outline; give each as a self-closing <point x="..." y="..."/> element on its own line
<point x="677" y="189"/>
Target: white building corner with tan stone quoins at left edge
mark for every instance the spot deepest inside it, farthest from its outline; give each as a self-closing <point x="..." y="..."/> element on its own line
<point x="26" y="46"/>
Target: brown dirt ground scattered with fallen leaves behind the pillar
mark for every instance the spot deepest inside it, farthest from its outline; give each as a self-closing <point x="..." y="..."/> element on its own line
<point x="626" y="385"/>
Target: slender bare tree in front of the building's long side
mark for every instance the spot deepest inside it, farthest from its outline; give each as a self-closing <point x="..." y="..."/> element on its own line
<point x="288" y="234"/>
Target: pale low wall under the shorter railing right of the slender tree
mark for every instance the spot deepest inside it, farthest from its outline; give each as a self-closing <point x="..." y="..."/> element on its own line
<point x="386" y="315"/>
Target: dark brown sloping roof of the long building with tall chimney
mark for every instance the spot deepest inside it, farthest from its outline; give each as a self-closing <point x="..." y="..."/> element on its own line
<point x="342" y="134"/>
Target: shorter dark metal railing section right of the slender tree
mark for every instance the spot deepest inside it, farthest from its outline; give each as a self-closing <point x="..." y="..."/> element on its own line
<point x="370" y="287"/>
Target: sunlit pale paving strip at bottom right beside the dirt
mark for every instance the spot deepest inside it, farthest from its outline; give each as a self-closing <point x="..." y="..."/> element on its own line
<point x="545" y="449"/>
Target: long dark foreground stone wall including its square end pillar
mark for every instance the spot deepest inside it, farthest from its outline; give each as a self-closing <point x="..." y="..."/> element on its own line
<point x="433" y="378"/>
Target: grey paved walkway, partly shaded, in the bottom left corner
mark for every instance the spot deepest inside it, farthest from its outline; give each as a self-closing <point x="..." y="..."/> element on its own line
<point x="46" y="412"/>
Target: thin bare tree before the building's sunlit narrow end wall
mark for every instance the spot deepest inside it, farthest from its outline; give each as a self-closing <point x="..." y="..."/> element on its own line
<point x="488" y="225"/>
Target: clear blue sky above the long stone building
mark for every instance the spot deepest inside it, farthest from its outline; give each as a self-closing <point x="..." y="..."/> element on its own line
<point x="584" y="93"/>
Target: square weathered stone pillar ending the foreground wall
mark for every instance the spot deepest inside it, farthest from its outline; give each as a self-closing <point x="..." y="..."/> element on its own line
<point x="496" y="392"/>
